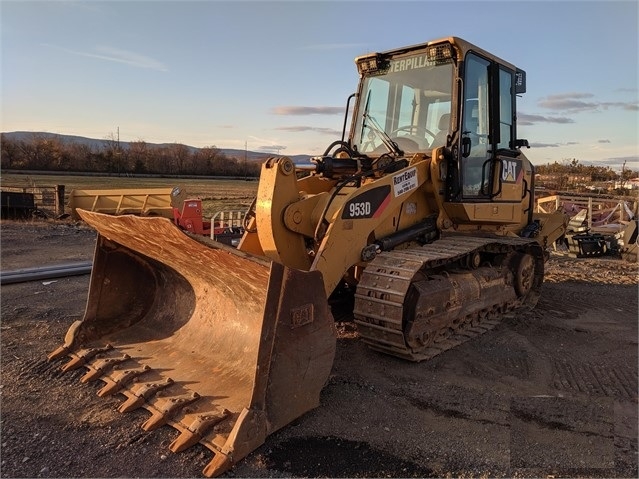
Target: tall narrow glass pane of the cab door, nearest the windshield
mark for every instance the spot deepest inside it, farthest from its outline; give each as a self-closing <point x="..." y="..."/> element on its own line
<point x="475" y="125"/>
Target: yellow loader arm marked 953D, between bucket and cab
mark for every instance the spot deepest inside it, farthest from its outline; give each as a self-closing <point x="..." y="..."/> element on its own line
<point x="347" y="224"/>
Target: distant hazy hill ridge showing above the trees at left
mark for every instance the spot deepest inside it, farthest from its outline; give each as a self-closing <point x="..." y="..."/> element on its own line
<point x="98" y="144"/>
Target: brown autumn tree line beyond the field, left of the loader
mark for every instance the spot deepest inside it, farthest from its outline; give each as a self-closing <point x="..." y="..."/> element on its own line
<point x="44" y="153"/>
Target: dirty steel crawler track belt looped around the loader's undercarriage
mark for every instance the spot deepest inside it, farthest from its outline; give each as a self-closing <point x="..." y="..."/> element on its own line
<point x="380" y="294"/>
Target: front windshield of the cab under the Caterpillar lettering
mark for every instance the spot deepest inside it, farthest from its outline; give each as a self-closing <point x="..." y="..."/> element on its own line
<point x="409" y="104"/>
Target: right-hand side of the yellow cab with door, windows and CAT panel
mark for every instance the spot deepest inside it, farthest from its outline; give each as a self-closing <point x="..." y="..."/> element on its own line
<point x="493" y="175"/>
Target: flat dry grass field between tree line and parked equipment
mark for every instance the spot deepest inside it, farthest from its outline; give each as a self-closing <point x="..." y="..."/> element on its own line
<point x="216" y="194"/>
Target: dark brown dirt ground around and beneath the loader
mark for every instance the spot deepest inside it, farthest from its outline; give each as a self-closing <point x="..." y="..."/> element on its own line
<point x="548" y="393"/>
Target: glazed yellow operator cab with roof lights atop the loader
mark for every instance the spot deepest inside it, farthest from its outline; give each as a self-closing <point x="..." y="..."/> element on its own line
<point x="451" y="94"/>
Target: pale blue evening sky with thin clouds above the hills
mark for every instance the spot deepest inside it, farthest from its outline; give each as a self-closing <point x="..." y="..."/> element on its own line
<point x="275" y="76"/>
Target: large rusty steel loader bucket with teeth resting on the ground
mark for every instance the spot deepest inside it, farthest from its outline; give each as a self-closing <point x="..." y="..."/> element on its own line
<point x="223" y="346"/>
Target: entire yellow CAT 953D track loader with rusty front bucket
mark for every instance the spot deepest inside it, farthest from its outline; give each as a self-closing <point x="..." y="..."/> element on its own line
<point x="422" y="215"/>
